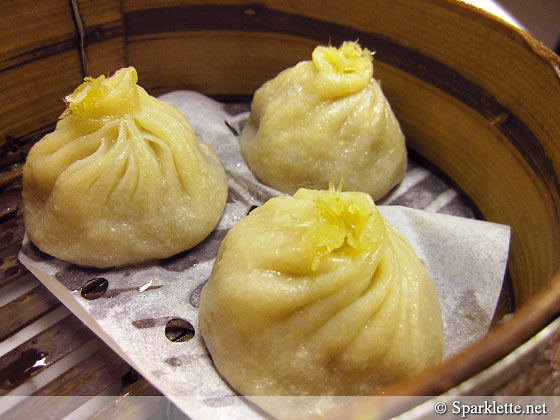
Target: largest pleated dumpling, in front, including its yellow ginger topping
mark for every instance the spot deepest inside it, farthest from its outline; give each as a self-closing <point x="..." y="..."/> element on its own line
<point x="317" y="294"/>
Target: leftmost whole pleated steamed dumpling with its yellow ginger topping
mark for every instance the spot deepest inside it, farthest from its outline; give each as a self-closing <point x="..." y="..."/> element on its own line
<point x="121" y="180"/>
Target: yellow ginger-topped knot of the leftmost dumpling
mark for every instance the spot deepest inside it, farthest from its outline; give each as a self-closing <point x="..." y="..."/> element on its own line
<point x="103" y="97"/>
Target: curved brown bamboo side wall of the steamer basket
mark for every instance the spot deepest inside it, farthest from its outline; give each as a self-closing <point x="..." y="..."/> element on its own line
<point x="475" y="97"/>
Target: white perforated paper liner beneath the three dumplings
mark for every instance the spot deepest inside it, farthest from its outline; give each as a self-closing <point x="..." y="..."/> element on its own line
<point x="466" y="258"/>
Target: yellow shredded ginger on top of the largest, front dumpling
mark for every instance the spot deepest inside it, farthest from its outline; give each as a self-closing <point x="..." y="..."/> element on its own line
<point x="343" y="222"/>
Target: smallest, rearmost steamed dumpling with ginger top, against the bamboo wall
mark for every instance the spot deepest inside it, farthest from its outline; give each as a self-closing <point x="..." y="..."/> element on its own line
<point x="323" y="118"/>
